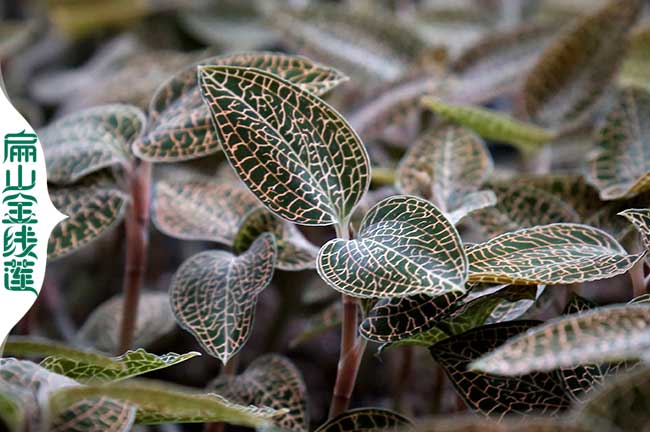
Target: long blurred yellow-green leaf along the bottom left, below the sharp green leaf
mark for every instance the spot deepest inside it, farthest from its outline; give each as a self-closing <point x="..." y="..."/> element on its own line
<point x="164" y="403"/>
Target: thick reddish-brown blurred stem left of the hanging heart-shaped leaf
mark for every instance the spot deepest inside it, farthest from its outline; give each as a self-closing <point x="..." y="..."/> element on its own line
<point x="137" y="233"/>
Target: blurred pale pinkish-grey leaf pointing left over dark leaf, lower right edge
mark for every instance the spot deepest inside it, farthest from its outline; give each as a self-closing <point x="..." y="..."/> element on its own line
<point x="605" y="334"/>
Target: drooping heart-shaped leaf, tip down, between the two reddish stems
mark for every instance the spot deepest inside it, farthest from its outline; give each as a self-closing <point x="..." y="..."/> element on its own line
<point x="214" y="294"/>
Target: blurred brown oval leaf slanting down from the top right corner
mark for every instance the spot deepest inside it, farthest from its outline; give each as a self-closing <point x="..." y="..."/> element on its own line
<point x="576" y="70"/>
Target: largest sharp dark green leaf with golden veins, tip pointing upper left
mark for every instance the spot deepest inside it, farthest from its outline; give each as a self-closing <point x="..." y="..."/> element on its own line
<point x="294" y="152"/>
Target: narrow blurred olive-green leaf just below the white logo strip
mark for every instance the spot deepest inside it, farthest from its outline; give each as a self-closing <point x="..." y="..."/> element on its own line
<point x="25" y="346"/>
